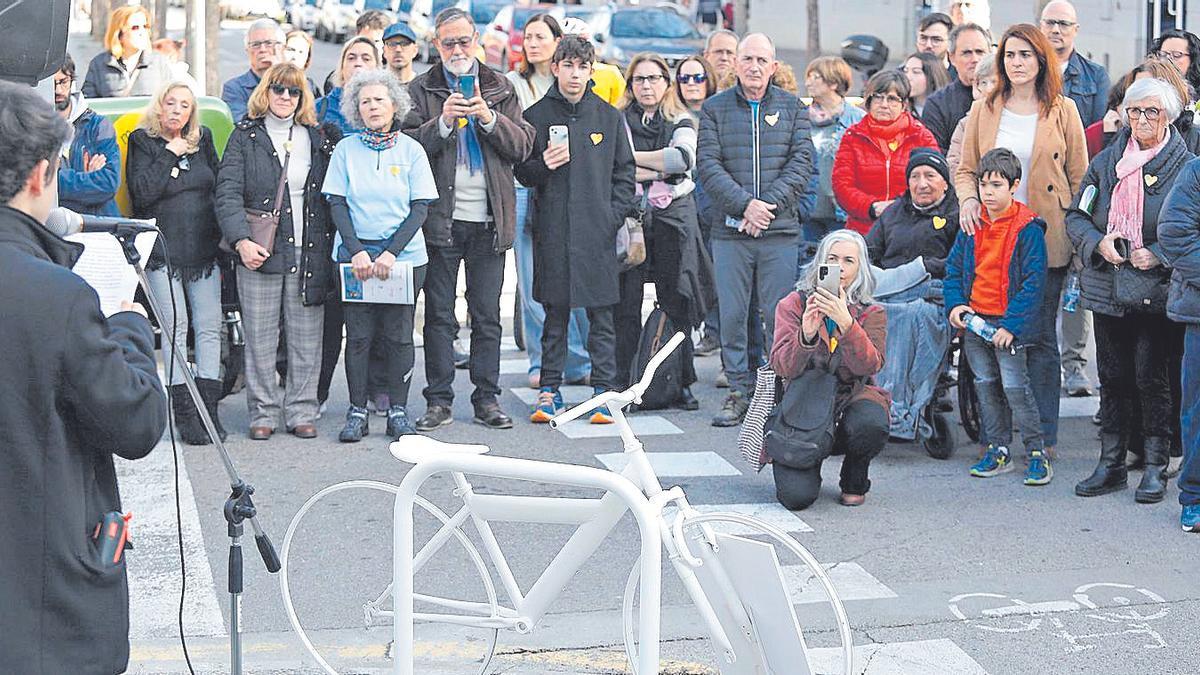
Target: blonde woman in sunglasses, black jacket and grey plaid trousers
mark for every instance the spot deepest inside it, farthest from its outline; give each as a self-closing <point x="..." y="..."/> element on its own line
<point x="275" y="162"/>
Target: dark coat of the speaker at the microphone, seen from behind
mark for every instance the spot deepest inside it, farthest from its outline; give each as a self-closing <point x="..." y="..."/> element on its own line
<point x="77" y="390"/>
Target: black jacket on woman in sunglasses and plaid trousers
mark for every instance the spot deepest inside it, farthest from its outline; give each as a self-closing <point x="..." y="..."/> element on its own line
<point x="250" y="177"/>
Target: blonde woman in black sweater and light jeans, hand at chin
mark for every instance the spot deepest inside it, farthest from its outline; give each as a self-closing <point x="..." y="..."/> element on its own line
<point x="171" y="172"/>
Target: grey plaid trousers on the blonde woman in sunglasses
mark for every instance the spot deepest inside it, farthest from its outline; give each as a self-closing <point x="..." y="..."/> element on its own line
<point x="263" y="298"/>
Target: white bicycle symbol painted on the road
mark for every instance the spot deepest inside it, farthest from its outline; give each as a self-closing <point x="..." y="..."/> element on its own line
<point x="1126" y="611"/>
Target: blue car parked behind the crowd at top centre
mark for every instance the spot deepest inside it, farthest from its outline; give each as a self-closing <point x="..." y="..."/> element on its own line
<point x="647" y="29"/>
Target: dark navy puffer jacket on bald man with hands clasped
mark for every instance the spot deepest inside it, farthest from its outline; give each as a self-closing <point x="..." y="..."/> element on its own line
<point x="741" y="156"/>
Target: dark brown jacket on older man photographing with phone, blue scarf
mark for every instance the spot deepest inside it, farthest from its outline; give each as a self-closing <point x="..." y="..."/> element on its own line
<point x="509" y="142"/>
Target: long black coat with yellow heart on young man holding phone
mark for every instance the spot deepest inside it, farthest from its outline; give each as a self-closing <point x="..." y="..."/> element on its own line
<point x="578" y="208"/>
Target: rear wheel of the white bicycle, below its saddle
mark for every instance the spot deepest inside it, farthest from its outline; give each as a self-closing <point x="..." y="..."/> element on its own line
<point x="430" y="650"/>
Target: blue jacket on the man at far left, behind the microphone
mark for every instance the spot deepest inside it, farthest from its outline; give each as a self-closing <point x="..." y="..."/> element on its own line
<point x="91" y="193"/>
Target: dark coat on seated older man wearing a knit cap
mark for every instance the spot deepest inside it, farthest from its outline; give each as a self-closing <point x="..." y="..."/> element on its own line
<point x="902" y="234"/>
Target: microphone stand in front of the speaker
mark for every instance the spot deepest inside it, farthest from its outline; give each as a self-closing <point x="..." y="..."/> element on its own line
<point x="239" y="507"/>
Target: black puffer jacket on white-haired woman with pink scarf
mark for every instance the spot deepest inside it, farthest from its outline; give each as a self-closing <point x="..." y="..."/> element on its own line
<point x="1087" y="230"/>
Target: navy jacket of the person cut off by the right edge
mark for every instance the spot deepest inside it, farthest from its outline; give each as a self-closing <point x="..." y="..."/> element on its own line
<point x="1179" y="235"/>
